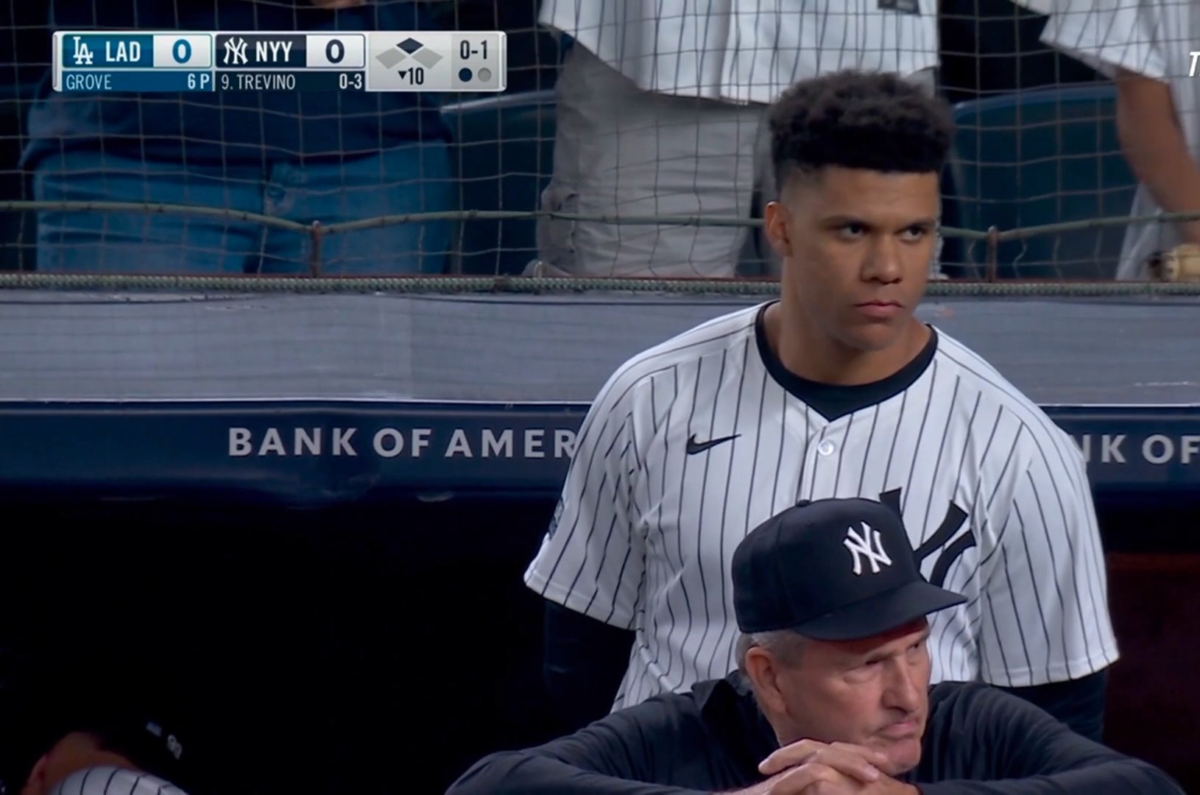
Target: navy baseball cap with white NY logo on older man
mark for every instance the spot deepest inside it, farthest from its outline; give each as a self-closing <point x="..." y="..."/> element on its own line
<point x="832" y="570"/>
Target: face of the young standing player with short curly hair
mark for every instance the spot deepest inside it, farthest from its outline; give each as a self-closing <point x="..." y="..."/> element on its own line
<point x="857" y="248"/>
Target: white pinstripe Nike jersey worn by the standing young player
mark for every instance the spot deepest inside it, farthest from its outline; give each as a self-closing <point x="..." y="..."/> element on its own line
<point x="994" y="495"/>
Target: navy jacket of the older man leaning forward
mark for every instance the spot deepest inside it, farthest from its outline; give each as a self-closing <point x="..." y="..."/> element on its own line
<point x="979" y="742"/>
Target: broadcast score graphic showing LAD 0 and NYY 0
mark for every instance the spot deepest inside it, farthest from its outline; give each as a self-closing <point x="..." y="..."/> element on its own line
<point x="179" y="62"/>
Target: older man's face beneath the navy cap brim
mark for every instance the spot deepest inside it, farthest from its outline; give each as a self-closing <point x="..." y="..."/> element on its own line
<point x="869" y="694"/>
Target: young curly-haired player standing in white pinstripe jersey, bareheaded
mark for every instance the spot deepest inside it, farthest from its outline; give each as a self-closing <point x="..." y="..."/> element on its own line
<point x="833" y="391"/>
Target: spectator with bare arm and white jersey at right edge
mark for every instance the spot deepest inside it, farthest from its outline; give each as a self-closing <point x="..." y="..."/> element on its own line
<point x="1147" y="49"/>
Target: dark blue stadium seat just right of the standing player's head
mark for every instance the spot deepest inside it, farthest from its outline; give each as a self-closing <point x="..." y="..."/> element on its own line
<point x="1037" y="158"/>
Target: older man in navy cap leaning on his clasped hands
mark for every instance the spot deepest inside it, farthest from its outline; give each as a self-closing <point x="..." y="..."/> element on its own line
<point x="832" y="694"/>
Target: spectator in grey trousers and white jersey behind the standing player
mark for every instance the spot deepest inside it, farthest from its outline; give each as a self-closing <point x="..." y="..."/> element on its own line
<point x="662" y="111"/>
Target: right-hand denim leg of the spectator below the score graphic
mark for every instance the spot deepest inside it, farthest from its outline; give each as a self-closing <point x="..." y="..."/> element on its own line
<point x="404" y="181"/>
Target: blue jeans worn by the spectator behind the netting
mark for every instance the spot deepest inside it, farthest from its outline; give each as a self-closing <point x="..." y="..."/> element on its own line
<point x="407" y="180"/>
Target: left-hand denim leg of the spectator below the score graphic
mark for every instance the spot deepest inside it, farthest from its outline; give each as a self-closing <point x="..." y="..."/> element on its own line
<point x="136" y="242"/>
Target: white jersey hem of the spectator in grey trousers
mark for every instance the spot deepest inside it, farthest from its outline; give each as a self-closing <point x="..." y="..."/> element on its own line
<point x="747" y="51"/>
